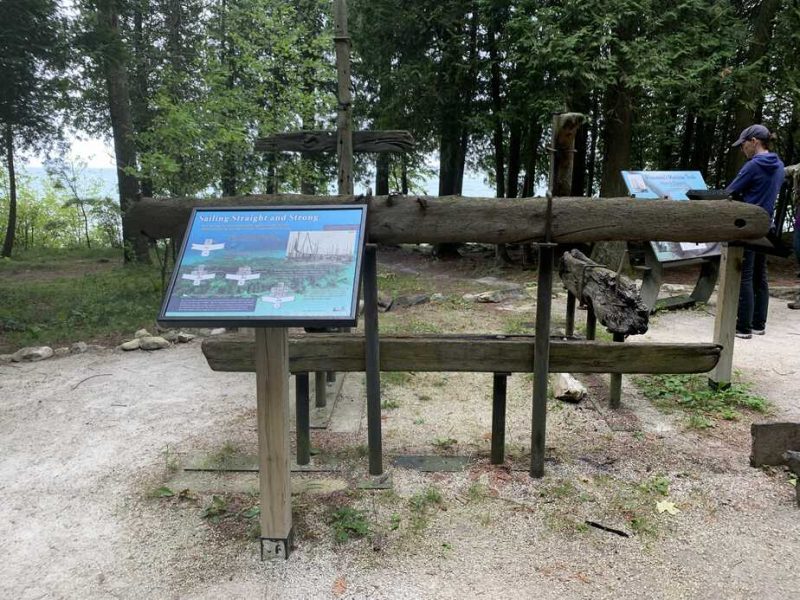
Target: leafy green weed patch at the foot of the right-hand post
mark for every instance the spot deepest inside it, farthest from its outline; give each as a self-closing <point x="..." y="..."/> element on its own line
<point x="702" y="404"/>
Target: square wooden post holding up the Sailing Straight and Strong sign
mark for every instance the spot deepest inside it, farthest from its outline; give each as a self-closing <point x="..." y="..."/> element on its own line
<point x="272" y="397"/>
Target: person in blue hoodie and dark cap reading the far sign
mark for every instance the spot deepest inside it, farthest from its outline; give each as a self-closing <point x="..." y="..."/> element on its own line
<point x="758" y="182"/>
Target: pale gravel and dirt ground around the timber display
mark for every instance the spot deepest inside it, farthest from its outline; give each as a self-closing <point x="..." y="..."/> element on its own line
<point x="91" y="441"/>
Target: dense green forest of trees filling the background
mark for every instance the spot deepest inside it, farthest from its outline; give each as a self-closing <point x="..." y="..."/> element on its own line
<point x="184" y="87"/>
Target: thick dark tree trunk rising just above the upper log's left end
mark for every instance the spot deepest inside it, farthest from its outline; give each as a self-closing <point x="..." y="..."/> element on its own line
<point x="122" y="126"/>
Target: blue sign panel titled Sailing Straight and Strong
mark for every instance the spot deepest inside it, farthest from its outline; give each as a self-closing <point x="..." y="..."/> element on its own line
<point x="268" y="267"/>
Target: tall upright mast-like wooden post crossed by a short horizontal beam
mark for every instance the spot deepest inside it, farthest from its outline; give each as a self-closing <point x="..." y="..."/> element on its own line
<point x="344" y="126"/>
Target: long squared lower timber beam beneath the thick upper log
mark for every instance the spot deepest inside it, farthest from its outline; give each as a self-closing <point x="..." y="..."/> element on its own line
<point x="345" y="352"/>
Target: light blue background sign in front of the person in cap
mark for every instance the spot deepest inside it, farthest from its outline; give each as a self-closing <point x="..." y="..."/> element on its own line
<point x="672" y="185"/>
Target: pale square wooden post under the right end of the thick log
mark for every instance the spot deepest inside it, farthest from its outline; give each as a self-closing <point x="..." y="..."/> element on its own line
<point x="725" y="319"/>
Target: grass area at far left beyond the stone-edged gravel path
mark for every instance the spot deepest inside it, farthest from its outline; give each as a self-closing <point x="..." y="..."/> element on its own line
<point x="55" y="308"/>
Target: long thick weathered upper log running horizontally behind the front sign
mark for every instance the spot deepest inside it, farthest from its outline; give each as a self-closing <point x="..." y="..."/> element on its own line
<point x="430" y="219"/>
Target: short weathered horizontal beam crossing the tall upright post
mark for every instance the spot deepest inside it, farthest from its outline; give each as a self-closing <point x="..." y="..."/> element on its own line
<point x="325" y="141"/>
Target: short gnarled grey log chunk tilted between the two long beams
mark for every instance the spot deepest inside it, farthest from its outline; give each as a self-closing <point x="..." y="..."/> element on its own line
<point x="615" y="299"/>
